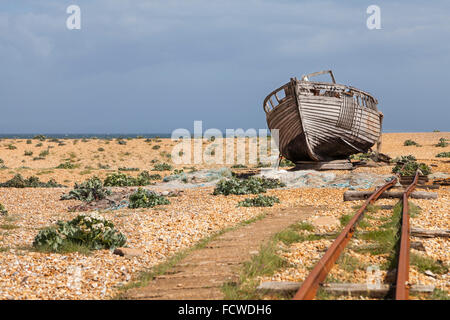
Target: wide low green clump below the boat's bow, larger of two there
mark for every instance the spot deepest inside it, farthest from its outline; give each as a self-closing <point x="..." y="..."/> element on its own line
<point x="251" y="185"/>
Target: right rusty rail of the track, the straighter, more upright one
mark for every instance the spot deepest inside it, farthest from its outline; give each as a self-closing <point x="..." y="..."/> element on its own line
<point x="402" y="285"/>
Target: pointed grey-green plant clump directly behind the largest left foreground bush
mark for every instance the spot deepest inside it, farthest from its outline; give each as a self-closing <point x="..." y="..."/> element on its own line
<point x="88" y="191"/>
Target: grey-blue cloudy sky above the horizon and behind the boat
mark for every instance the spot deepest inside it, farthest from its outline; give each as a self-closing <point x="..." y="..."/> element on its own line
<point x="157" y="65"/>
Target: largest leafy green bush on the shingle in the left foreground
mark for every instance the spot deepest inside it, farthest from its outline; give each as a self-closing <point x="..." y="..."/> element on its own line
<point x="90" y="231"/>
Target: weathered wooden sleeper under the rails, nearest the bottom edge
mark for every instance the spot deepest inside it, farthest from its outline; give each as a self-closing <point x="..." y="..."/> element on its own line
<point x="352" y="289"/>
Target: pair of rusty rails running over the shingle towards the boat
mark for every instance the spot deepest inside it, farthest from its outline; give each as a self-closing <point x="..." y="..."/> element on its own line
<point x="311" y="284"/>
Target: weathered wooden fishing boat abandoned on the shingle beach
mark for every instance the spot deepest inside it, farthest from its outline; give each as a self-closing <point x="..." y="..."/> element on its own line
<point x="322" y="121"/>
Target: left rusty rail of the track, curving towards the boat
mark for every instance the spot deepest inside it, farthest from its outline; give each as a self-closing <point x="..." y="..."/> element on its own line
<point x="311" y="284"/>
